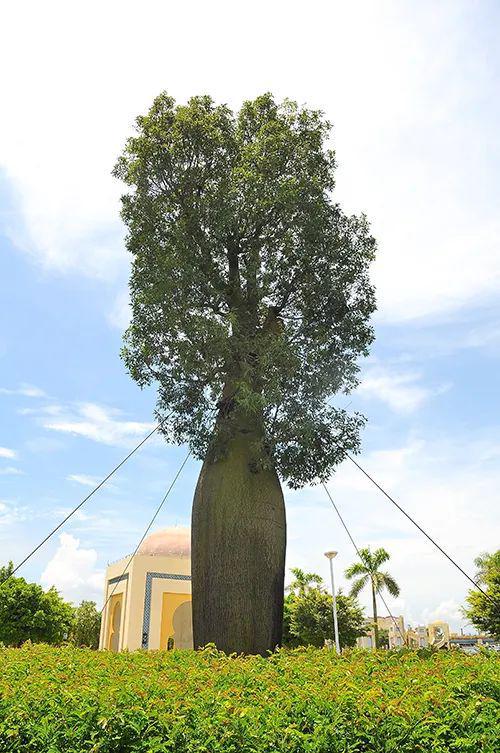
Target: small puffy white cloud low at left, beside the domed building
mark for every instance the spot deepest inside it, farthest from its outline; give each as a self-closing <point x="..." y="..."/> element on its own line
<point x="72" y="570"/>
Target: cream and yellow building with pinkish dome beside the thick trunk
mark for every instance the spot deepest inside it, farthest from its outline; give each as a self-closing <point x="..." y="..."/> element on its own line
<point x="149" y="605"/>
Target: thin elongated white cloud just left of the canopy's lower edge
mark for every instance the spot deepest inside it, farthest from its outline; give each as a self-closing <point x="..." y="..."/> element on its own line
<point x="94" y="422"/>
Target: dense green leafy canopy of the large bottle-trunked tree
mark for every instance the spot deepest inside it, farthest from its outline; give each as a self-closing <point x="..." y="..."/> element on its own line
<point x="249" y="285"/>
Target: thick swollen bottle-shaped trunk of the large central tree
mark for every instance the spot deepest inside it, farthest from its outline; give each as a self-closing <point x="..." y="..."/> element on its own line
<point x="238" y="552"/>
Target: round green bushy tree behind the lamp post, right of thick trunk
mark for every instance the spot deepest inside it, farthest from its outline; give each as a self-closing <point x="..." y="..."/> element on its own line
<point x="308" y="616"/>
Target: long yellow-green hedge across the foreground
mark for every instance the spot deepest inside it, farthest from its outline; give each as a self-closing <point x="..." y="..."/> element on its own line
<point x="72" y="700"/>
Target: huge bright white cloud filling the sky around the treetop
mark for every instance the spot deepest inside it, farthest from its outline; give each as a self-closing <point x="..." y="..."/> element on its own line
<point x="424" y="169"/>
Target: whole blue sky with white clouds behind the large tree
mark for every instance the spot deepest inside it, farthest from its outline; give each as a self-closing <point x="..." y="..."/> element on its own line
<point x="412" y="92"/>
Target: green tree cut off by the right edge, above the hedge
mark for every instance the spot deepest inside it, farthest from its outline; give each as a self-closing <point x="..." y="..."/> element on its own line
<point x="483" y="609"/>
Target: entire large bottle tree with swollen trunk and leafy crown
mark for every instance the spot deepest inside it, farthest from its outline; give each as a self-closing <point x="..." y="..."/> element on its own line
<point x="250" y="302"/>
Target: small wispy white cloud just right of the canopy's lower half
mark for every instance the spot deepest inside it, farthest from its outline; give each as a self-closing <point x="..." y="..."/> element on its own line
<point x="402" y="391"/>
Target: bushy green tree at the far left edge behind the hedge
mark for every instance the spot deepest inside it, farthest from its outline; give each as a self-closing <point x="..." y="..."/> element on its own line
<point x="27" y="612"/>
